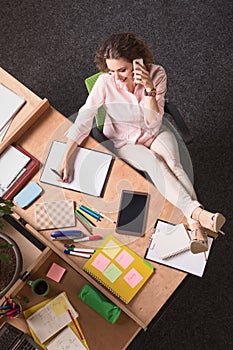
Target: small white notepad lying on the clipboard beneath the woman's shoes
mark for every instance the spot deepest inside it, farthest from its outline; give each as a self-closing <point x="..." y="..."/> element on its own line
<point x="171" y="240"/>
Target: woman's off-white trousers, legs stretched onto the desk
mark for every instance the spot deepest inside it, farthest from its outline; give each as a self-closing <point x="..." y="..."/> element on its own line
<point x="162" y="163"/>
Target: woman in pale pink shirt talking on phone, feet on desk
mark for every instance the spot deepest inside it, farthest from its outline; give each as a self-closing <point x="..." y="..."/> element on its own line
<point x="134" y="102"/>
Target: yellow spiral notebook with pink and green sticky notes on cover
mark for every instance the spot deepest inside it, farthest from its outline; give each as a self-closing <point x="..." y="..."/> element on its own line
<point x="118" y="268"/>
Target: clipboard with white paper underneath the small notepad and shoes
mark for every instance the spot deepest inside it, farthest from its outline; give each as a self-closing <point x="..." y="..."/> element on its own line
<point x="186" y="261"/>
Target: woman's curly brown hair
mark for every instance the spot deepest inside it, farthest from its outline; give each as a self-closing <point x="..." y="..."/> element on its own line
<point x="122" y="45"/>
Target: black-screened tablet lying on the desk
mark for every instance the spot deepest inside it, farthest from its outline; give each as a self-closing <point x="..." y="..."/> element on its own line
<point x="132" y="213"/>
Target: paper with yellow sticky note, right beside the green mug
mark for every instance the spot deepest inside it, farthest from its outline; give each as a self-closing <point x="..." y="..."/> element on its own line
<point x="50" y="319"/>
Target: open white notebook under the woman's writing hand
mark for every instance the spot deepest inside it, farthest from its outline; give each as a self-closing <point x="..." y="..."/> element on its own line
<point x="91" y="169"/>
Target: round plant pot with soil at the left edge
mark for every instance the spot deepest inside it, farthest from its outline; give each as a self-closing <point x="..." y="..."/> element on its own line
<point x="9" y="271"/>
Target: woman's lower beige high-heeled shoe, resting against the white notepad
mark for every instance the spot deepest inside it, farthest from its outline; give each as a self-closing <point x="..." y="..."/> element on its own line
<point x="199" y="239"/>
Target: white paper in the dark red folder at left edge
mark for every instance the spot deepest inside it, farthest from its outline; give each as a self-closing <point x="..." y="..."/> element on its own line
<point x="12" y="162"/>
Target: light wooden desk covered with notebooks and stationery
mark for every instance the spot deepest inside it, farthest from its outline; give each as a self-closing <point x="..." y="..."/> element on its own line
<point x="51" y="125"/>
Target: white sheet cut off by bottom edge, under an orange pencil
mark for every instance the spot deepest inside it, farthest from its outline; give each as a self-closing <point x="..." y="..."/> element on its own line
<point x="66" y="340"/>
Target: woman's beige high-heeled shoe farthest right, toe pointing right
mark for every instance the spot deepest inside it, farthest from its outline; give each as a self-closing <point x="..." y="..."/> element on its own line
<point x="213" y="222"/>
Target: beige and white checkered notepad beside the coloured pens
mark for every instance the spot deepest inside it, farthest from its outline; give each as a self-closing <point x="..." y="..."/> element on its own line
<point x="57" y="214"/>
